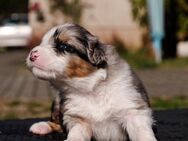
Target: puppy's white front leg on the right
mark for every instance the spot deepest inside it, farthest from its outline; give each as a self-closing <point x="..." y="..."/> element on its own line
<point x="138" y="124"/>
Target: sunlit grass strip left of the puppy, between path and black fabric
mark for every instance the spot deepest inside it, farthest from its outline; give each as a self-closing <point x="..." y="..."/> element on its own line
<point x="20" y="109"/>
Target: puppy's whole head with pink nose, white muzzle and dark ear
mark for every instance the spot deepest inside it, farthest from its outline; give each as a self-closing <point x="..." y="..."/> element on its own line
<point x="66" y="51"/>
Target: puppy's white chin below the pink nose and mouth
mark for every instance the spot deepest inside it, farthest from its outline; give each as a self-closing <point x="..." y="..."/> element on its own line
<point x="43" y="74"/>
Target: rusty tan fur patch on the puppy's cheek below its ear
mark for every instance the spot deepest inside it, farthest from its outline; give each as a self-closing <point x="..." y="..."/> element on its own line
<point x="79" y="68"/>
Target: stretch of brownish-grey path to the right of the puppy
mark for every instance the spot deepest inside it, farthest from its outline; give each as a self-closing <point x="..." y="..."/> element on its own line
<point x="165" y="82"/>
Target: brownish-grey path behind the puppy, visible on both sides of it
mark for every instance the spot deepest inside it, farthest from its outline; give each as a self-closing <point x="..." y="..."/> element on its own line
<point x="18" y="82"/>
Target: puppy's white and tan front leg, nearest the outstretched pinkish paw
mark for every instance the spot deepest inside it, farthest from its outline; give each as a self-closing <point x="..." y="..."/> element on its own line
<point x="79" y="131"/>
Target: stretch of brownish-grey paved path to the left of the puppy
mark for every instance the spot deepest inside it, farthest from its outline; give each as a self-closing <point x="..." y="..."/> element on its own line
<point x="17" y="82"/>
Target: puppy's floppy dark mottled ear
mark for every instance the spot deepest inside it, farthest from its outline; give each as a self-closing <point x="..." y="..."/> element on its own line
<point x="95" y="52"/>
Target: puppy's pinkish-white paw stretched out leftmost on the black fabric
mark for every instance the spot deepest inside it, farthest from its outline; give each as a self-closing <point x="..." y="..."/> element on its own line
<point x="40" y="128"/>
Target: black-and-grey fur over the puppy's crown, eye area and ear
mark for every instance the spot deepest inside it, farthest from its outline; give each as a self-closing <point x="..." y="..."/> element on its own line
<point x="86" y="39"/>
